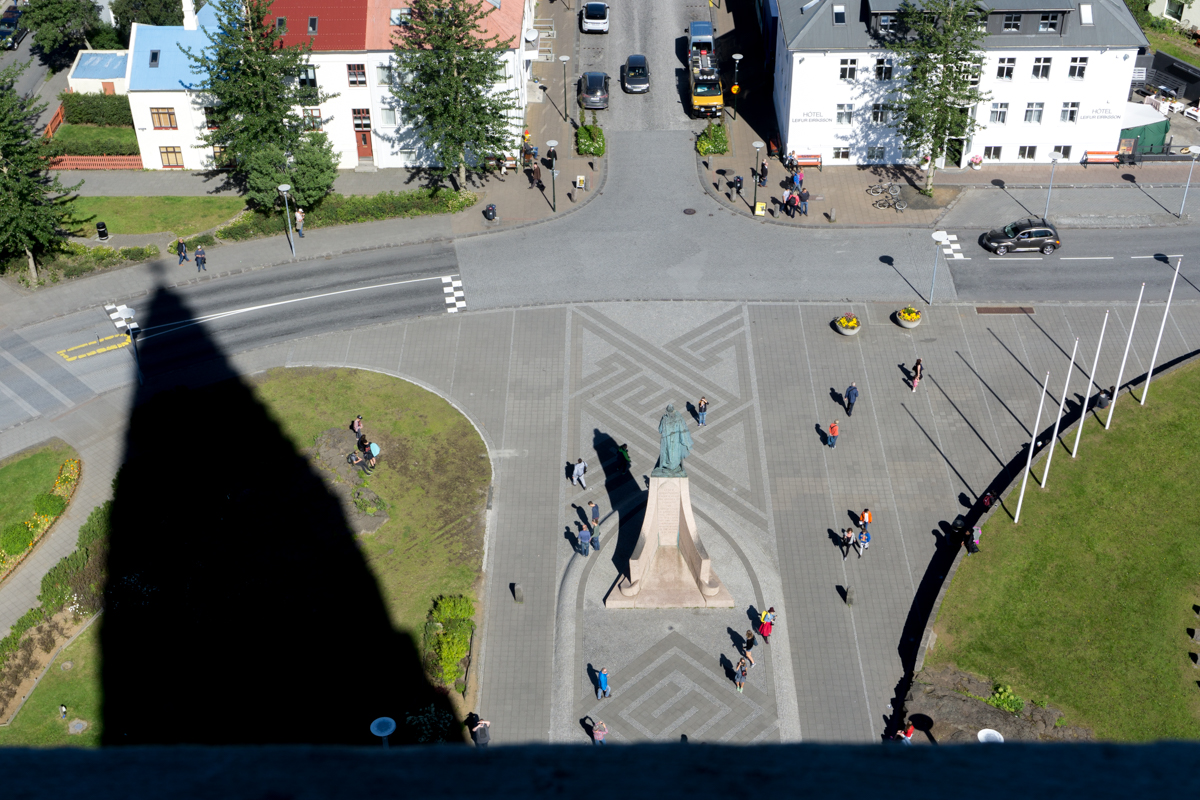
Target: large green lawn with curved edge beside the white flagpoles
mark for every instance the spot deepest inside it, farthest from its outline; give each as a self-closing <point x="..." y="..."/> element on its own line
<point x="1087" y="604"/>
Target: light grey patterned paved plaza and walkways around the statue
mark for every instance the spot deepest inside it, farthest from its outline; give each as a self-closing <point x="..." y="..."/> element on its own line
<point x="548" y="386"/>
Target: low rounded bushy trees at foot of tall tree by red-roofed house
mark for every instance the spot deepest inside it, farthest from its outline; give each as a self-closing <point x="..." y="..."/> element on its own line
<point x="311" y="172"/>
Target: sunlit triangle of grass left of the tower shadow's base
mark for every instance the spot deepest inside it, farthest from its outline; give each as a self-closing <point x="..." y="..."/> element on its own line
<point x="40" y="724"/>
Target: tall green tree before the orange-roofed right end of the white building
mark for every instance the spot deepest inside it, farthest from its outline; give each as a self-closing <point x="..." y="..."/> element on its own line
<point x="449" y="71"/>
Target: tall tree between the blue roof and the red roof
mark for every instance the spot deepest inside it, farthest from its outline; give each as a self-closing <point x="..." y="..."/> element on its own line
<point x="254" y="83"/>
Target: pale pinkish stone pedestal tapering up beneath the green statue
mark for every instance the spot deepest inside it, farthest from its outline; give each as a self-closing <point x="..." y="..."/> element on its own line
<point x="670" y="567"/>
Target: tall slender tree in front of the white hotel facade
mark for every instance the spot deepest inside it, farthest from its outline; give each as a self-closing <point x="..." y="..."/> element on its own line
<point x="940" y="49"/>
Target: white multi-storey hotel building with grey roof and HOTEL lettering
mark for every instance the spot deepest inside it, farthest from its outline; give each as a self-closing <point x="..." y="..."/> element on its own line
<point x="1059" y="75"/>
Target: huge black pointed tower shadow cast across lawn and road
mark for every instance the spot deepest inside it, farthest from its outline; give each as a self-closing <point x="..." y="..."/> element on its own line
<point x="239" y="609"/>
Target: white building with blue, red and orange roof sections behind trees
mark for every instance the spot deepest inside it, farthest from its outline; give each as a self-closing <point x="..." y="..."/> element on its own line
<point x="351" y="58"/>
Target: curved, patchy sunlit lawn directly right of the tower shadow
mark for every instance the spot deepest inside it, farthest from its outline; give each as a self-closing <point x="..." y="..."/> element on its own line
<point x="434" y="473"/>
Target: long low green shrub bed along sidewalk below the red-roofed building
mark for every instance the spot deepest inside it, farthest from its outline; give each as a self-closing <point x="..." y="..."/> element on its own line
<point x="341" y="210"/>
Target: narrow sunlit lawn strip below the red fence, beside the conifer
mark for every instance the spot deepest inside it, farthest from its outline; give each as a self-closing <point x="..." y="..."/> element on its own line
<point x="182" y="216"/>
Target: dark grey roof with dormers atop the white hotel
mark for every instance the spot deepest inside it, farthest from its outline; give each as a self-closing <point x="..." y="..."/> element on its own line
<point x="813" y="29"/>
